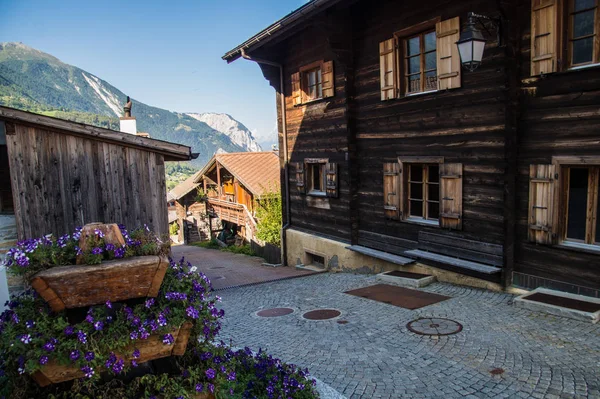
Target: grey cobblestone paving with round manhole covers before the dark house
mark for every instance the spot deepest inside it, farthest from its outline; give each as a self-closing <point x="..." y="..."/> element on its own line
<point x="502" y="352"/>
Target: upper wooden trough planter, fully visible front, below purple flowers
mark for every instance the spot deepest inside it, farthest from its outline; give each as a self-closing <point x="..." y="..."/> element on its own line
<point x="69" y="287"/>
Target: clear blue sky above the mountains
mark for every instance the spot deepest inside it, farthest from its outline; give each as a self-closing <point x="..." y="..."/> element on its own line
<point x="163" y="53"/>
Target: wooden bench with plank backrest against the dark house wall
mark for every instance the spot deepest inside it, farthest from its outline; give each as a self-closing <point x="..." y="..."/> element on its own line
<point x="459" y="252"/>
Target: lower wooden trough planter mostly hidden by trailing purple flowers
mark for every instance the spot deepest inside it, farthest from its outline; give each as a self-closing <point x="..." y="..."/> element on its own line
<point x="150" y="349"/>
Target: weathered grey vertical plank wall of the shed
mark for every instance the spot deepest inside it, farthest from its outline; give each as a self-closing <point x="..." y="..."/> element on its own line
<point x="61" y="181"/>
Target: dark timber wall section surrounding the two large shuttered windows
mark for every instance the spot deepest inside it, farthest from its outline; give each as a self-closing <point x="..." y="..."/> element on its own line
<point x="466" y="125"/>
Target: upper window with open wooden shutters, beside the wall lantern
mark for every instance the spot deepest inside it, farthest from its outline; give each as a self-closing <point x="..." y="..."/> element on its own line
<point x="420" y="59"/>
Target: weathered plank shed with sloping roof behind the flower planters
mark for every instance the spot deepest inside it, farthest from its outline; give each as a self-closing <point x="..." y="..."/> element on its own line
<point x="56" y="175"/>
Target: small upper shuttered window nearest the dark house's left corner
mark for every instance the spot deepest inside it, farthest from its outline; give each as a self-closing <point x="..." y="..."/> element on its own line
<point x="313" y="82"/>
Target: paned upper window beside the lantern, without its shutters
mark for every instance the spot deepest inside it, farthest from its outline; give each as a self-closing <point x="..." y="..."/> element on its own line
<point x="420" y="63"/>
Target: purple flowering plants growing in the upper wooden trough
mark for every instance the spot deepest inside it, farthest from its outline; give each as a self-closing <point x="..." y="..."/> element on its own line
<point x="35" y="255"/>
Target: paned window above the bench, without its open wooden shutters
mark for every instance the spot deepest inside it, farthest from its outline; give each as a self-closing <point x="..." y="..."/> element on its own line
<point x="424" y="191"/>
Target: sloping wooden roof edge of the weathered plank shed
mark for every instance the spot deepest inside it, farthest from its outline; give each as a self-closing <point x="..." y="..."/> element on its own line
<point x="171" y="151"/>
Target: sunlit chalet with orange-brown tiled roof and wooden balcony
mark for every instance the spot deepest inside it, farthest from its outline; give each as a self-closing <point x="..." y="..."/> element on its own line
<point x="226" y="192"/>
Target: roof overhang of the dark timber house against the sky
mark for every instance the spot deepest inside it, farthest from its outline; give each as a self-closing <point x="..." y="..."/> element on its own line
<point x="278" y="29"/>
